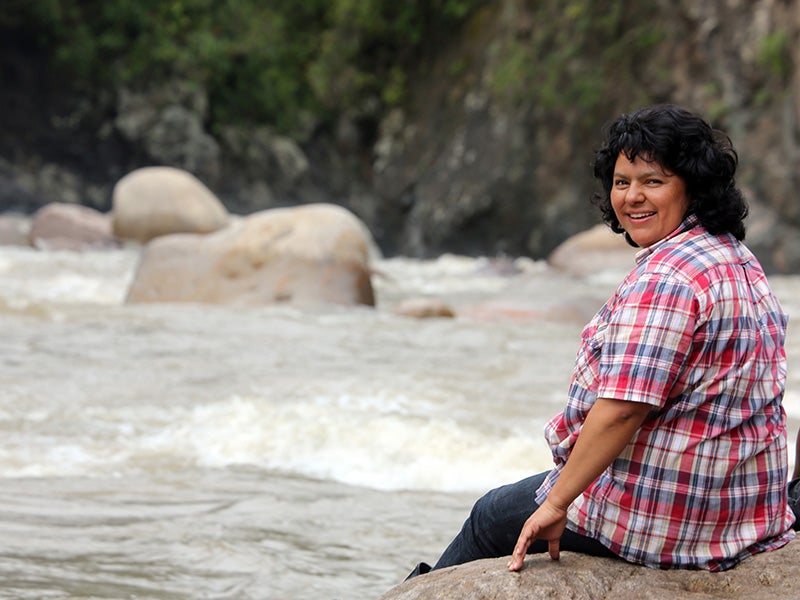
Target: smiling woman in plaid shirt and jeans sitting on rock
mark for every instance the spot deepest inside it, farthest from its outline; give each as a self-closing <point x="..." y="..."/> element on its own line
<point x="671" y="451"/>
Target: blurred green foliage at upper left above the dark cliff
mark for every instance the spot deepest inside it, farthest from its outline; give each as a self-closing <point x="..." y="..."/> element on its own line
<point x="260" y="61"/>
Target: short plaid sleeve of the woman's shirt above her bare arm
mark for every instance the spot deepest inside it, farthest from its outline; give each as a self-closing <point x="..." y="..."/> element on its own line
<point x="647" y="340"/>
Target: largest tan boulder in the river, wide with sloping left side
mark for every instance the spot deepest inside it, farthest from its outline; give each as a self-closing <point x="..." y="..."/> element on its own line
<point x="317" y="253"/>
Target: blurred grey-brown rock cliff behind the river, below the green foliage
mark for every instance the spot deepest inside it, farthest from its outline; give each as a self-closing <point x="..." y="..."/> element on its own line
<point x="490" y="152"/>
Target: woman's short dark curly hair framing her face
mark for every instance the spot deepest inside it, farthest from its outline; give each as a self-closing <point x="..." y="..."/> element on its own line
<point x="685" y="145"/>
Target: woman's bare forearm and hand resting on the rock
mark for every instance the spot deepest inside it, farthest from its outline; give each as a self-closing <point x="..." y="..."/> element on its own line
<point x="609" y="426"/>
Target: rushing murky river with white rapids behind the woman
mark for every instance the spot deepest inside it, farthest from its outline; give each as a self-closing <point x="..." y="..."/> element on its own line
<point x="193" y="451"/>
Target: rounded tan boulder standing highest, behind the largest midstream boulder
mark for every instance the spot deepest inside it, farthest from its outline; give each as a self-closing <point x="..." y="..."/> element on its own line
<point x="154" y="201"/>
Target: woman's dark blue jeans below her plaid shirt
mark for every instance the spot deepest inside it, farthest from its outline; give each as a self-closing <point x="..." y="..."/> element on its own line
<point x="493" y="526"/>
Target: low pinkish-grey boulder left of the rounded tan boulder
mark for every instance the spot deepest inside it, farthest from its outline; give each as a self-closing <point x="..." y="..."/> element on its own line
<point x="63" y="226"/>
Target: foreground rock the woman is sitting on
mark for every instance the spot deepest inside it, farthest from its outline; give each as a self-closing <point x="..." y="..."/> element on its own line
<point x="582" y="577"/>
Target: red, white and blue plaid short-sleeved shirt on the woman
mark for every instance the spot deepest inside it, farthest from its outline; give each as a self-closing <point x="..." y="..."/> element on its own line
<point x="695" y="331"/>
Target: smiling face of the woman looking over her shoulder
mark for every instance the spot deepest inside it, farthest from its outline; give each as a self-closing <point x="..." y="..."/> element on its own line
<point x="649" y="201"/>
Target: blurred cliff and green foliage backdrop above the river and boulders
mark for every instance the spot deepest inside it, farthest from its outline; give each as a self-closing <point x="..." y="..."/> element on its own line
<point x="462" y="126"/>
